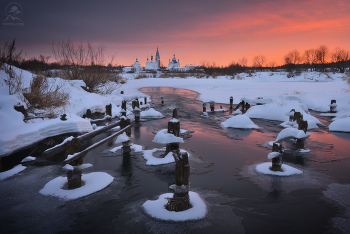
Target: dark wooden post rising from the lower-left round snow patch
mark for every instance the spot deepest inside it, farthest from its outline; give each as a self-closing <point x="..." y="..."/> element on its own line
<point x="74" y="176"/>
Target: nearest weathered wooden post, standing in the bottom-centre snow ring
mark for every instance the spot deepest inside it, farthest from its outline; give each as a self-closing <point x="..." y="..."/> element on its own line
<point x="180" y="200"/>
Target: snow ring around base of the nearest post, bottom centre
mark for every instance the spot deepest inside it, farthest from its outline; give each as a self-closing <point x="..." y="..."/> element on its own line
<point x="157" y="210"/>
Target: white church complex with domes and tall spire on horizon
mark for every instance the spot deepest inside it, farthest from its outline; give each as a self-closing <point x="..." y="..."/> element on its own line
<point x="153" y="65"/>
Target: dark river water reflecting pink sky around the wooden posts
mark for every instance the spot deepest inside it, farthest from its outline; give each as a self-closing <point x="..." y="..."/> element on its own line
<point x="222" y="172"/>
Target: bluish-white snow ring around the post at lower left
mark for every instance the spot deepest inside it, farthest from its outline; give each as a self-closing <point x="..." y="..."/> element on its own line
<point x="94" y="182"/>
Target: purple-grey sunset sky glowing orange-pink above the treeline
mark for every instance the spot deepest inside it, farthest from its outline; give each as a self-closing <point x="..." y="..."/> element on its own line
<point x="195" y="30"/>
